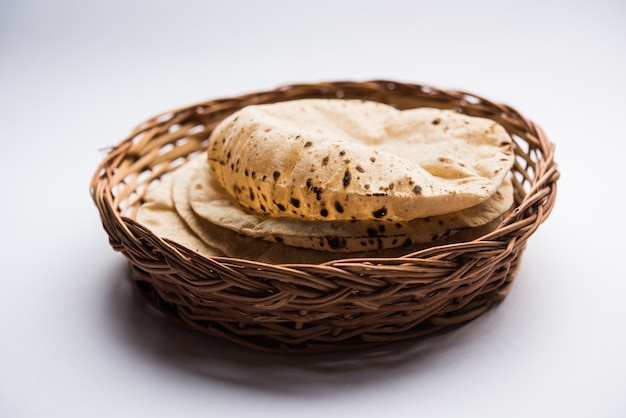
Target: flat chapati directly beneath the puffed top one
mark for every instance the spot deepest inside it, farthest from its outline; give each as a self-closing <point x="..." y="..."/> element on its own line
<point x="209" y="201"/>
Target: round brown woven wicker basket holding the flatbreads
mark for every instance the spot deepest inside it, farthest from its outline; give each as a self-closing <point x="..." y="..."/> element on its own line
<point x="344" y="304"/>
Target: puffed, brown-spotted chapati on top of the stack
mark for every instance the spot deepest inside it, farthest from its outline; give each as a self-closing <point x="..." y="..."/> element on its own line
<point x="327" y="159"/>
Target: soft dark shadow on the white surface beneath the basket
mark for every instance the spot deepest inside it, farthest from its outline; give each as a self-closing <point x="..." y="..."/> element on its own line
<point x="171" y="345"/>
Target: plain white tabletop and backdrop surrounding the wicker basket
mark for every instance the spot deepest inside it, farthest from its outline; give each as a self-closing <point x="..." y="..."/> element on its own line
<point x="77" y="76"/>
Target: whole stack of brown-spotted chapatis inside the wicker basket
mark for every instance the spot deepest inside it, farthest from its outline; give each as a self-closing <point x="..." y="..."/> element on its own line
<point x="307" y="181"/>
